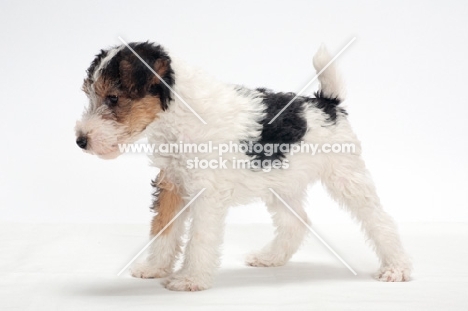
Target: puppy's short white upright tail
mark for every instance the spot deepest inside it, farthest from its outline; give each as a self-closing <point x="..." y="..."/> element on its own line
<point x="331" y="84"/>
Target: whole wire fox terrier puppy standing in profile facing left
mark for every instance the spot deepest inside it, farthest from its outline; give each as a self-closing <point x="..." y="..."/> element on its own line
<point x="160" y="97"/>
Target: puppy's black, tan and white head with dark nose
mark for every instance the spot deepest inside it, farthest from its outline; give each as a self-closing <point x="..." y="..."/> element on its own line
<point x="125" y="96"/>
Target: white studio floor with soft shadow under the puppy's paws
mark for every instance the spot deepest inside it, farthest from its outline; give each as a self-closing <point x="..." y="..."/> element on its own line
<point x="74" y="267"/>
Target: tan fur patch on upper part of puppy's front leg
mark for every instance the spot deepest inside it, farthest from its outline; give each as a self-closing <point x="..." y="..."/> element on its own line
<point x="168" y="204"/>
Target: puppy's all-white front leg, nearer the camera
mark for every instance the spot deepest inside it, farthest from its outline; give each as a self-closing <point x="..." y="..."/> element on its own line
<point x="202" y="254"/>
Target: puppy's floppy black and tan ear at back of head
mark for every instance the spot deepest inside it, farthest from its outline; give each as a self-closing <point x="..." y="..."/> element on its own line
<point x="160" y="88"/>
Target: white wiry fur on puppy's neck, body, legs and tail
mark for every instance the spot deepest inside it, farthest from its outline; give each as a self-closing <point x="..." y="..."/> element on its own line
<point x="232" y="117"/>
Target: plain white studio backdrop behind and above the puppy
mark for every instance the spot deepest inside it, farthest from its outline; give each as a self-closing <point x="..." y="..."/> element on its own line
<point x="405" y="73"/>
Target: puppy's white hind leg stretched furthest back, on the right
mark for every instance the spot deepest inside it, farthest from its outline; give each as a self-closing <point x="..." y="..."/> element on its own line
<point x="350" y="184"/>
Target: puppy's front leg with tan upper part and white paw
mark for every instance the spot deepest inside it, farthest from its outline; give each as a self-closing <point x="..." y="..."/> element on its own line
<point x="165" y="248"/>
